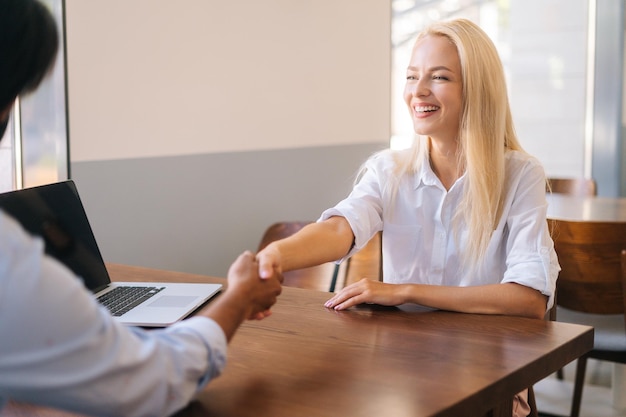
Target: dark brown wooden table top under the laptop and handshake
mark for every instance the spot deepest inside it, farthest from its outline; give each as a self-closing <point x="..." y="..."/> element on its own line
<point x="306" y="360"/>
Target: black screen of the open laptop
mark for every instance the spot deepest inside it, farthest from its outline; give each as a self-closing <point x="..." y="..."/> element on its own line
<point x="55" y="213"/>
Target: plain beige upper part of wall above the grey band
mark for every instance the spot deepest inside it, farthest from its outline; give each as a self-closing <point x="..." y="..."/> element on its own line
<point x="161" y="77"/>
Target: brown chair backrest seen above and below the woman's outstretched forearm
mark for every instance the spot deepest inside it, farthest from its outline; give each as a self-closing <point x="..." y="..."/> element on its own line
<point x="313" y="278"/>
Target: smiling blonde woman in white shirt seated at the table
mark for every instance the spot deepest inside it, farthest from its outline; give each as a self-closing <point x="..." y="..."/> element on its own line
<point x="463" y="212"/>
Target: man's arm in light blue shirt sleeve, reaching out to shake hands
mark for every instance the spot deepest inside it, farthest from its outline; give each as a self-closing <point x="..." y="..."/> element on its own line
<point x="61" y="348"/>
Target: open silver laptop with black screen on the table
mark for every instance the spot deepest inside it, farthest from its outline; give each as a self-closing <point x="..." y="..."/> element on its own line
<point x="56" y="214"/>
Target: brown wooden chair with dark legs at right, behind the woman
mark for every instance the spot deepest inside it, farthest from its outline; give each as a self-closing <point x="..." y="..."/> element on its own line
<point x="590" y="288"/>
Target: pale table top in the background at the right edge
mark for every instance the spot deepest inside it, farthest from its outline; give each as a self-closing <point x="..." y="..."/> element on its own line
<point x="592" y="209"/>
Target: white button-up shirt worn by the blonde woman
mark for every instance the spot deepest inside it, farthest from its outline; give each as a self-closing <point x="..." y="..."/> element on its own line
<point x="420" y="244"/>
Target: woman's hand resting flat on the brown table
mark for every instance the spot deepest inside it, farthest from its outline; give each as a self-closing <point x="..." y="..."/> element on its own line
<point x="367" y="291"/>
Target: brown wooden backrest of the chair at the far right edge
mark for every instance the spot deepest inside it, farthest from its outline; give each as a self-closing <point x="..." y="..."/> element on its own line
<point x="589" y="254"/>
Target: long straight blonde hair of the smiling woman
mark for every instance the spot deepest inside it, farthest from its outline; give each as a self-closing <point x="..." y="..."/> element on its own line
<point x="485" y="132"/>
